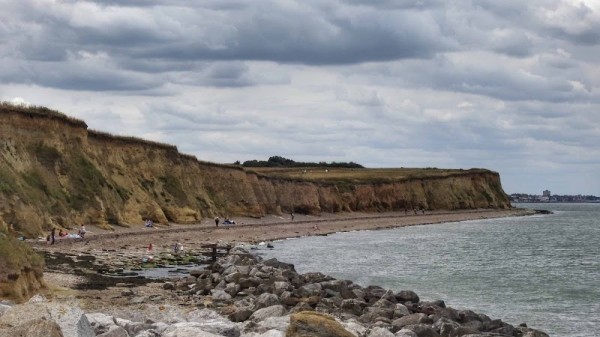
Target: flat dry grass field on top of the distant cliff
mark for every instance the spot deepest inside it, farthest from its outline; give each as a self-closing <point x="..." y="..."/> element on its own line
<point x="360" y="175"/>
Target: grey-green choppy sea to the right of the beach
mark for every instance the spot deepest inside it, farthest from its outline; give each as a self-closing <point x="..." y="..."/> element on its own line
<point x="542" y="270"/>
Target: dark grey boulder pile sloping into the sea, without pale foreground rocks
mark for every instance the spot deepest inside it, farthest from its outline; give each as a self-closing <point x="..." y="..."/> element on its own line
<point x="244" y="287"/>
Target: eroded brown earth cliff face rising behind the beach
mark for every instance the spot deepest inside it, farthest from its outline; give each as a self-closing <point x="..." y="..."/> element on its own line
<point x="56" y="172"/>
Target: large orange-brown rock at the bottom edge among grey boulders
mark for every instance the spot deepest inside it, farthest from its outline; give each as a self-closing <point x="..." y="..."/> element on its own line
<point x="314" y="324"/>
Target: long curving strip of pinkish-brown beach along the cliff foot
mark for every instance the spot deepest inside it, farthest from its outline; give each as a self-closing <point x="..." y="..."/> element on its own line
<point x="272" y="227"/>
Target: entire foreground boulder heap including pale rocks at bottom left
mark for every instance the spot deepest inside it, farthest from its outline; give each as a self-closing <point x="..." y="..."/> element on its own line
<point x="243" y="295"/>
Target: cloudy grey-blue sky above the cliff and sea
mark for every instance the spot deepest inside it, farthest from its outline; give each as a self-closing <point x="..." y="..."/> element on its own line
<point x="511" y="86"/>
